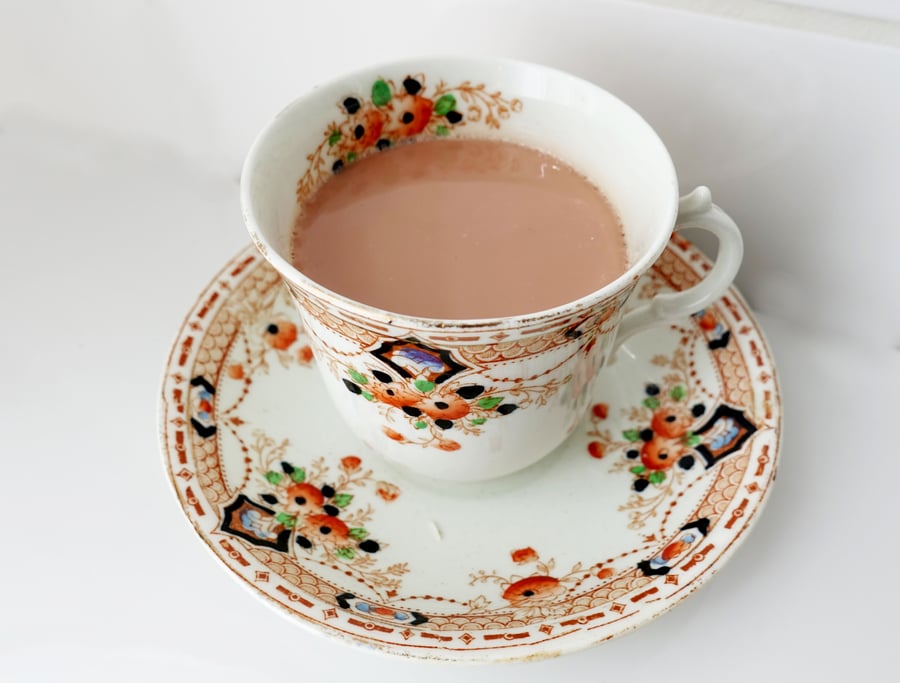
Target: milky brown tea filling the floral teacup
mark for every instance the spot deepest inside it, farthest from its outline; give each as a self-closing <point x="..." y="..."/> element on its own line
<point x="456" y="229"/>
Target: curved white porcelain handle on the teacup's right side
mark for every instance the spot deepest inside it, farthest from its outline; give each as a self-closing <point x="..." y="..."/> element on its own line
<point x="695" y="210"/>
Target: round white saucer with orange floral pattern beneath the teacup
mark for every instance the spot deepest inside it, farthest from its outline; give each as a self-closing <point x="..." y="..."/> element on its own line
<point x="642" y="504"/>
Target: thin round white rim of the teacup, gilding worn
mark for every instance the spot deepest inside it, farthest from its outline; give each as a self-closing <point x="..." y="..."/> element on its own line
<point x="385" y="317"/>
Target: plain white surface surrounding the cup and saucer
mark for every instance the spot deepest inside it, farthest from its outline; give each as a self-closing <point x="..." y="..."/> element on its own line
<point x="122" y="126"/>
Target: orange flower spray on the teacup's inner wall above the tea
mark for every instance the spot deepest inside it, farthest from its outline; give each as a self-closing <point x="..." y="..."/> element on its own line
<point x="393" y="112"/>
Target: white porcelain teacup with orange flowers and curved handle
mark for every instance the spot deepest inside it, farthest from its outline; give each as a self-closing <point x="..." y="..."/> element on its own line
<point x="468" y="400"/>
